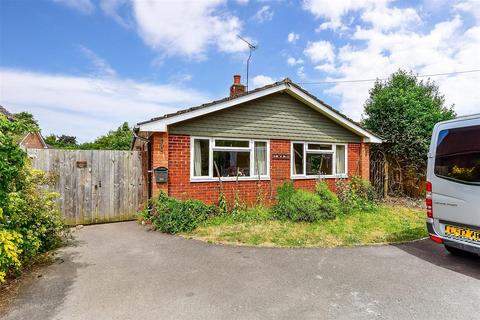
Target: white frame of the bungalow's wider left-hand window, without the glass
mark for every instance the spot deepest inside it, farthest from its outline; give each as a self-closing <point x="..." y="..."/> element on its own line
<point x="212" y="147"/>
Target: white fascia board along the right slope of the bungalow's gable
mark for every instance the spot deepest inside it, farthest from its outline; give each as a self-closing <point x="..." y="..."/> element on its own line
<point x="302" y="96"/>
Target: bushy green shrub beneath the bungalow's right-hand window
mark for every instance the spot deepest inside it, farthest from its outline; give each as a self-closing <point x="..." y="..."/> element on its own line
<point x="301" y="205"/>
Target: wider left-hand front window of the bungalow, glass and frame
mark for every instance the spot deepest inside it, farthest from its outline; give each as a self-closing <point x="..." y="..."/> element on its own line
<point x="229" y="158"/>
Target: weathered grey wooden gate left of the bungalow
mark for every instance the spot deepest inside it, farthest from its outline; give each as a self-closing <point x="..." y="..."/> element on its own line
<point x="95" y="186"/>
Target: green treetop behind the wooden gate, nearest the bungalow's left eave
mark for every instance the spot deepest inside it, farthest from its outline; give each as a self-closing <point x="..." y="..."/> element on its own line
<point x="120" y="139"/>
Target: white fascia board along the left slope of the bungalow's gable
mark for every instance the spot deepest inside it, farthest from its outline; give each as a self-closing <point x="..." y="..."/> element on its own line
<point x="161" y="125"/>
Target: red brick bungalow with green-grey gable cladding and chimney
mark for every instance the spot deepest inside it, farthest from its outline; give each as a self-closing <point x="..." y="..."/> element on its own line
<point x="253" y="142"/>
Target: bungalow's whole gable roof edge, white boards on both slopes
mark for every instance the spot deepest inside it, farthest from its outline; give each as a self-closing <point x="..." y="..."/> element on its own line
<point x="160" y="124"/>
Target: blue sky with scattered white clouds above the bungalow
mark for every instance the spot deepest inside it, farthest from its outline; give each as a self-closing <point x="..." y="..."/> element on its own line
<point x="83" y="67"/>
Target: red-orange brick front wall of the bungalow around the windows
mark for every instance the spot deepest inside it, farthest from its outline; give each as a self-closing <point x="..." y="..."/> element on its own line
<point x="175" y="154"/>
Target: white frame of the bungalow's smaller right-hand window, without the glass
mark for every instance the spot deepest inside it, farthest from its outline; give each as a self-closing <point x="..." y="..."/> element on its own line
<point x="314" y="151"/>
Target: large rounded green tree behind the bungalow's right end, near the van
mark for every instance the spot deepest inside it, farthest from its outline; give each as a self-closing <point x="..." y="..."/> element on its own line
<point x="403" y="110"/>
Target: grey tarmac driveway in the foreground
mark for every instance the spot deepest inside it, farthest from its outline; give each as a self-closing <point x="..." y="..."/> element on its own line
<point x="121" y="271"/>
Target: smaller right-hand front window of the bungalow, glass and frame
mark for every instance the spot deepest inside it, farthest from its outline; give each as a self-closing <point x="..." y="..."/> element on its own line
<point x="318" y="159"/>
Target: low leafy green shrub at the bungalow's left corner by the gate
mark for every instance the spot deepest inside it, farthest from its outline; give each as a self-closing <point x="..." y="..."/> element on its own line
<point x="174" y="216"/>
